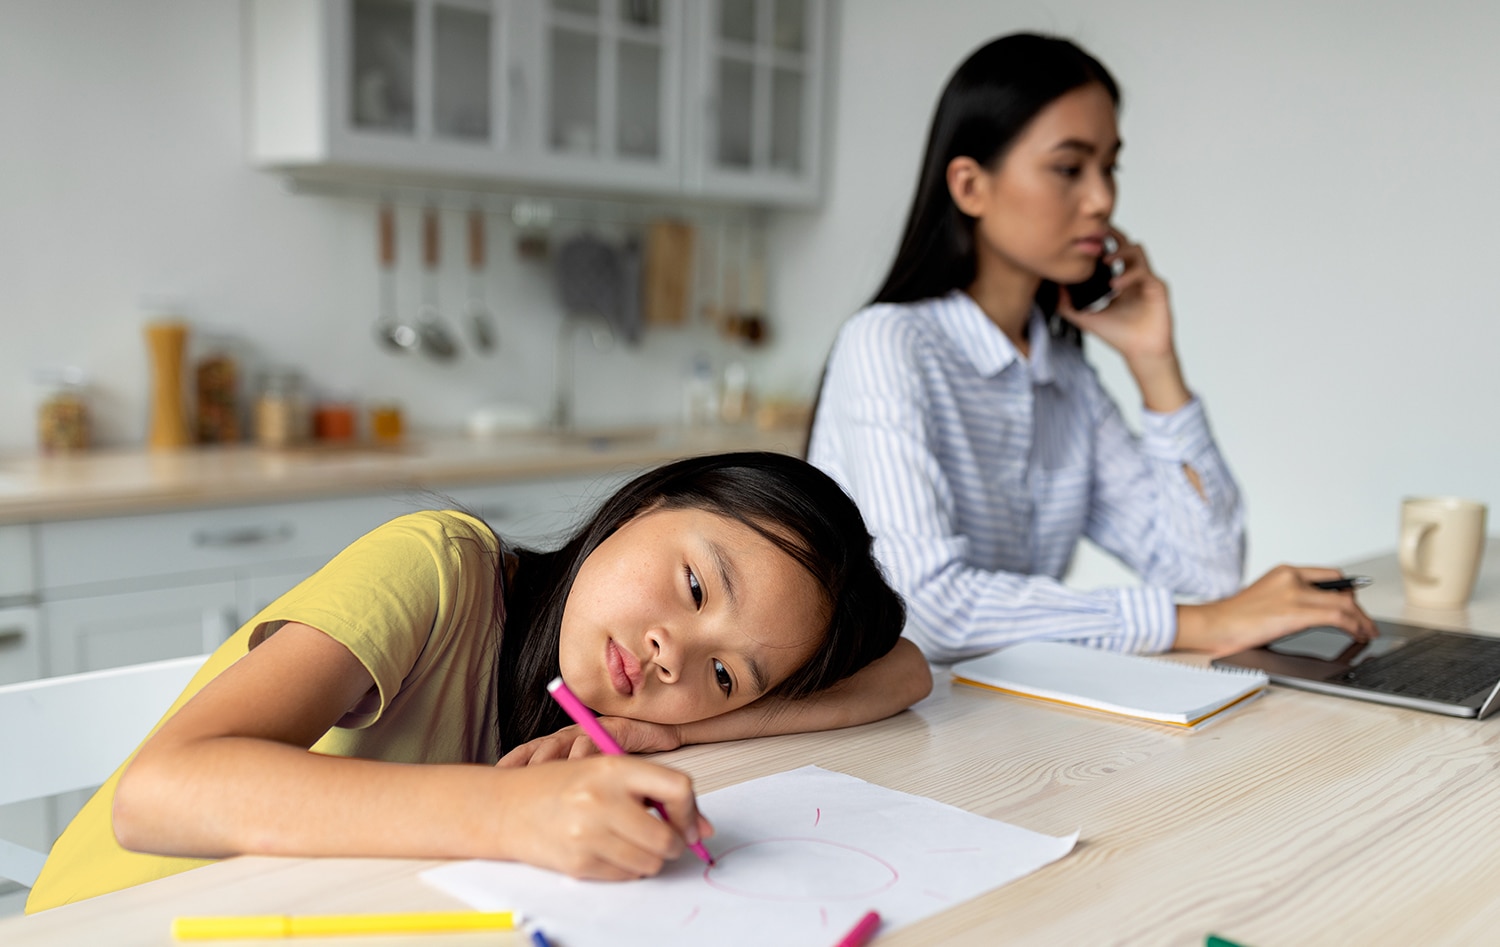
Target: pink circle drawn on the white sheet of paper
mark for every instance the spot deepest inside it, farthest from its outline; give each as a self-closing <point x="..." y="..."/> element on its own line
<point x="800" y="870"/>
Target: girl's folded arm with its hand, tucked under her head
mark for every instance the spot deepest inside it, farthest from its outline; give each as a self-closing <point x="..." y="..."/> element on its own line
<point x="887" y="687"/>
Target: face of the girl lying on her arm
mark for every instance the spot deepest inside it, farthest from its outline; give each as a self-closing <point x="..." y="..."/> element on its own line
<point x="685" y="615"/>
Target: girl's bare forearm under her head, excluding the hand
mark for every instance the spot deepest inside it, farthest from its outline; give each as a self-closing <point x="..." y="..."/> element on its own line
<point x="887" y="687"/>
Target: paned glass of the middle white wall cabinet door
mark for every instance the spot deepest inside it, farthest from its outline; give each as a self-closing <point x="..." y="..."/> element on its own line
<point x="608" y="80"/>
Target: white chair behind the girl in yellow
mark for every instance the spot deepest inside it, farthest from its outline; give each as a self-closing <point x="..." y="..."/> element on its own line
<point x="71" y="733"/>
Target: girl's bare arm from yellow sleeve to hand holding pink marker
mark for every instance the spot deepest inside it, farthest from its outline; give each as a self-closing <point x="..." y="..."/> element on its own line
<point x="230" y="774"/>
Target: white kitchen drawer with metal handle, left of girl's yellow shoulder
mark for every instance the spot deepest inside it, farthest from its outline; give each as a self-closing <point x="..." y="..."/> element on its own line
<point x="131" y="549"/>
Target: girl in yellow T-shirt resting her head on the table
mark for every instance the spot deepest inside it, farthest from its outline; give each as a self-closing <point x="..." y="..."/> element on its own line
<point x="716" y="598"/>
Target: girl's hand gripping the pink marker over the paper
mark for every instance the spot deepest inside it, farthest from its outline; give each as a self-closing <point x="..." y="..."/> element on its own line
<point x="590" y="819"/>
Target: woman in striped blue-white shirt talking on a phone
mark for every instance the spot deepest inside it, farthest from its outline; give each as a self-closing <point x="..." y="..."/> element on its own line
<point x="959" y="412"/>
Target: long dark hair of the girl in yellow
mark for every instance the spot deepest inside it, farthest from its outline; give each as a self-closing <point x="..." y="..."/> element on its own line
<point x="791" y="504"/>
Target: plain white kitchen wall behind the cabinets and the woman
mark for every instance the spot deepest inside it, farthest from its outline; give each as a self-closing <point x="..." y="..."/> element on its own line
<point x="1315" y="181"/>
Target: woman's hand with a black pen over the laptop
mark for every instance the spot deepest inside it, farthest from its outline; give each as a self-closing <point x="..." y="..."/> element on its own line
<point x="1277" y="604"/>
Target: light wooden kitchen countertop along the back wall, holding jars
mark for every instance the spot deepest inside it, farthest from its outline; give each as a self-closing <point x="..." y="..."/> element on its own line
<point x="116" y="483"/>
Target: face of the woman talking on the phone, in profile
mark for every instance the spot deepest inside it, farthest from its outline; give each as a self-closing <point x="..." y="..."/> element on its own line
<point x="1045" y="211"/>
